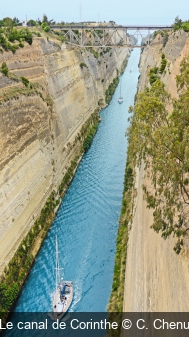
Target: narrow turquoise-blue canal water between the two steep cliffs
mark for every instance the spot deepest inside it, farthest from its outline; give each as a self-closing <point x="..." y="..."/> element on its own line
<point x="87" y="221"/>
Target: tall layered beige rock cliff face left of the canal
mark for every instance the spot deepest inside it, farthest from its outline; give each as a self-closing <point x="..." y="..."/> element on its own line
<point x="36" y="139"/>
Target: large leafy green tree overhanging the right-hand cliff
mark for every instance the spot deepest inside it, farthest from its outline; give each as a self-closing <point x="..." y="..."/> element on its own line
<point x="161" y="139"/>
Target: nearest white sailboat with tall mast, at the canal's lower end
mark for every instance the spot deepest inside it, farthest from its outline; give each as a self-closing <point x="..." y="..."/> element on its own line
<point x="64" y="291"/>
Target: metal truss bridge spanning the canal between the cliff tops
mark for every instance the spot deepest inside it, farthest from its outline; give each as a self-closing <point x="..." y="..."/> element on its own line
<point x="108" y="36"/>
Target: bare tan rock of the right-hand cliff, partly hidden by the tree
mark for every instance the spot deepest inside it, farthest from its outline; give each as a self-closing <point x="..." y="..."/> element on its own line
<point x="156" y="278"/>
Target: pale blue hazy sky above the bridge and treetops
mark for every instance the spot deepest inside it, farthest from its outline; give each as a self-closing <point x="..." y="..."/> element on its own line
<point x="121" y="11"/>
